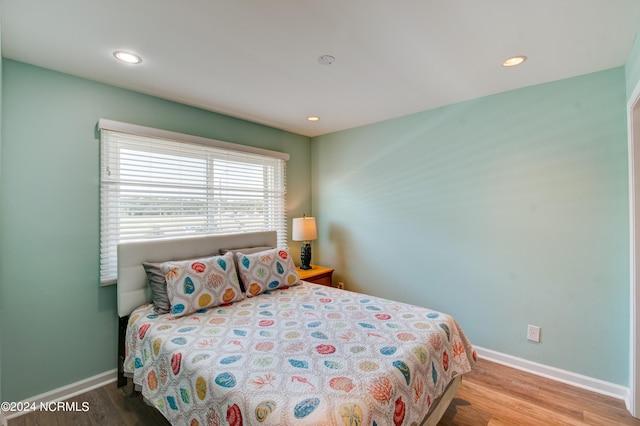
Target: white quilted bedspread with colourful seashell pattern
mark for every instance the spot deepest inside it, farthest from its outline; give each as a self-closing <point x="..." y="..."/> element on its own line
<point x="304" y="355"/>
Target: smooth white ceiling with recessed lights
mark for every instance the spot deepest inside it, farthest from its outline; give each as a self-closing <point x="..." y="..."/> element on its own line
<point x="258" y="59"/>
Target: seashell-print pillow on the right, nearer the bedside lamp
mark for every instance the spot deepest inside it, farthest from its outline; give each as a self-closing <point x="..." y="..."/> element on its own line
<point x="266" y="270"/>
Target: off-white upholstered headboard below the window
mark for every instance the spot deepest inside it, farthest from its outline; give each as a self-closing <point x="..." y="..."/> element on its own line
<point x="132" y="287"/>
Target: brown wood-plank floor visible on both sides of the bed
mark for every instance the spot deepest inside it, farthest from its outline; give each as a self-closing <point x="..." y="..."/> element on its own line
<point x="491" y="394"/>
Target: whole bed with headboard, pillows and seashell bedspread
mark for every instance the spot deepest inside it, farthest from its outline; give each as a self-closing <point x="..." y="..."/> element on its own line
<point x="286" y="353"/>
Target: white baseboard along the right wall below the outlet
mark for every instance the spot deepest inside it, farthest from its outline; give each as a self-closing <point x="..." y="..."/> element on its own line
<point x="564" y="376"/>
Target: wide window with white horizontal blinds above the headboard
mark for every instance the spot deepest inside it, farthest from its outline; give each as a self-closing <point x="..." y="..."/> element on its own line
<point x="158" y="184"/>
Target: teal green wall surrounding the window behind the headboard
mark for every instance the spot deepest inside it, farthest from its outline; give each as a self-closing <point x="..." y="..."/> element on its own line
<point x="59" y="326"/>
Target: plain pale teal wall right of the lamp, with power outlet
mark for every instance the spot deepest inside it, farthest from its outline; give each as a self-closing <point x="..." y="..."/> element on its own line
<point x="504" y="211"/>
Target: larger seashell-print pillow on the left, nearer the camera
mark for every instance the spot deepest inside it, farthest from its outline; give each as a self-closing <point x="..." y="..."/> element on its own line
<point x="201" y="283"/>
